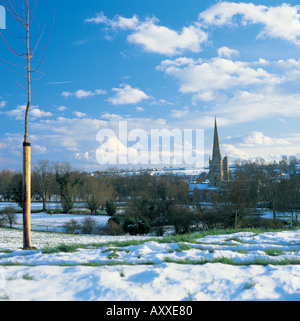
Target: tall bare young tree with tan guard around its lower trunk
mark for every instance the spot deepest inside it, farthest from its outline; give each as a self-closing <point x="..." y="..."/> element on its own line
<point x="23" y="14"/>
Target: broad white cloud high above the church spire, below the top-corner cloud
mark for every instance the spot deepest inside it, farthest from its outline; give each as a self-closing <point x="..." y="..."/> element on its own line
<point x="216" y="74"/>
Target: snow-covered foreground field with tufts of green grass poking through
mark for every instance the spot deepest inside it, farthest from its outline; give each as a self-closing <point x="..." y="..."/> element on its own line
<point x="240" y="266"/>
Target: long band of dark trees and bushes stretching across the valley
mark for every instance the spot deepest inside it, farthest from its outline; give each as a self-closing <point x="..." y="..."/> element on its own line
<point x="152" y="203"/>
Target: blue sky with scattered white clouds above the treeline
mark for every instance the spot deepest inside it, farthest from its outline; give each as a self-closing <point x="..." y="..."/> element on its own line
<point x="156" y="64"/>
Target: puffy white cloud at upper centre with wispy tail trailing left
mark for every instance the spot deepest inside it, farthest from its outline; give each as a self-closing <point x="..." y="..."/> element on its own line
<point x="153" y="37"/>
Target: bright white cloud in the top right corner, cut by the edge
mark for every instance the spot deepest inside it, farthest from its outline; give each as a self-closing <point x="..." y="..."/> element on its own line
<point x="278" y="22"/>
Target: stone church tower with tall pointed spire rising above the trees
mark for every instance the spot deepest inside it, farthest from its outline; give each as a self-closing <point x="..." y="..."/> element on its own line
<point x="218" y="168"/>
